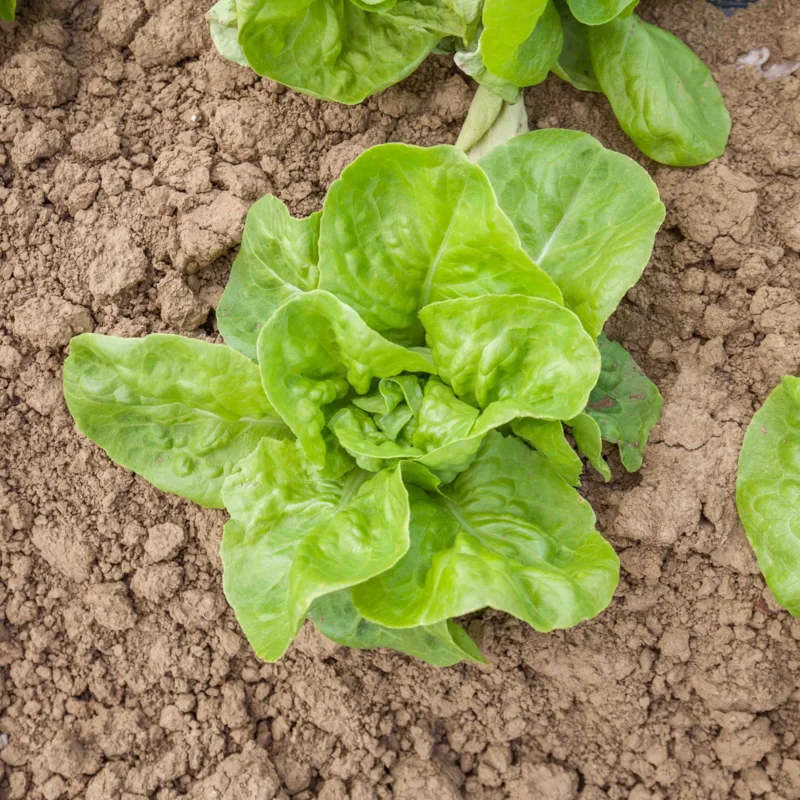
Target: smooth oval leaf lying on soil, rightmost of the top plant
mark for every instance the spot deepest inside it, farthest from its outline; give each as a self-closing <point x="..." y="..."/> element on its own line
<point x="663" y="95"/>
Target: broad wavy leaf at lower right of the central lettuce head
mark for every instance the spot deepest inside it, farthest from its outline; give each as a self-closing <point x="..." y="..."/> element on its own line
<point x="508" y="533"/>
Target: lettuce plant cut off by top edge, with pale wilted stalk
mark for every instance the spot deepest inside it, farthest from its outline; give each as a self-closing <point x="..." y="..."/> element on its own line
<point x="663" y="95"/>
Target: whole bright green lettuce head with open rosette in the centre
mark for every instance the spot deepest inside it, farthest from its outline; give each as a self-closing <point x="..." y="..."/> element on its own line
<point x="386" y="424"/>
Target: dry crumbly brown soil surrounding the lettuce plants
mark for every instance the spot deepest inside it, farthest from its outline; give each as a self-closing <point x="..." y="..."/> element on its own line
<point x="129" y="154"/>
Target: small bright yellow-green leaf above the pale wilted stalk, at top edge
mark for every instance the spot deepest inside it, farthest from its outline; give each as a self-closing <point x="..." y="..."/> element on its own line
<point x="522" y="39"/>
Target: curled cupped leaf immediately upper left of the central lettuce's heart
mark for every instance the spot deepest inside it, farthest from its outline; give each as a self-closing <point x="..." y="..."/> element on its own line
<point x="311" y="351"/>
